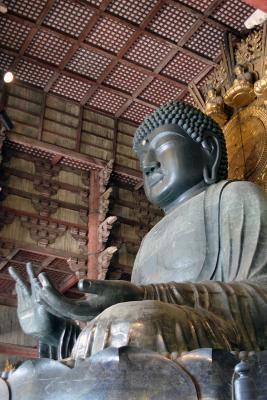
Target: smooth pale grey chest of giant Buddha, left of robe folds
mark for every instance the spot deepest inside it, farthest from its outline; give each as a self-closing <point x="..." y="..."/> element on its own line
<point x="175" y="249"/>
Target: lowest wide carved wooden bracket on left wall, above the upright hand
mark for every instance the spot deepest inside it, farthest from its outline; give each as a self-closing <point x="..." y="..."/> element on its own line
<point x="42" y="231"/>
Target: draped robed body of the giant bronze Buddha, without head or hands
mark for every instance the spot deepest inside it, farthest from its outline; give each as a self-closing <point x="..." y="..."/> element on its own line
<point x="204" y="270"/>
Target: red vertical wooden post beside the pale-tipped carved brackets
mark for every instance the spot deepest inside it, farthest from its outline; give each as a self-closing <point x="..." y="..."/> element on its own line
<point x="93" y="223"/>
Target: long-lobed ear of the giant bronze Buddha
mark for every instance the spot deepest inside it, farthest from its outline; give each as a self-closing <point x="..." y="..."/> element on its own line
<point x="212" y="148"/>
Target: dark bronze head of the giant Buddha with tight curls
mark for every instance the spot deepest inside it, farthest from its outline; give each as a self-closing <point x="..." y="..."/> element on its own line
<point x="179" y="148"/>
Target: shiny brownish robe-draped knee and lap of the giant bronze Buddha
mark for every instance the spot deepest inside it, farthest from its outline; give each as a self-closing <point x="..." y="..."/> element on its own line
<point x="156" y="326"/>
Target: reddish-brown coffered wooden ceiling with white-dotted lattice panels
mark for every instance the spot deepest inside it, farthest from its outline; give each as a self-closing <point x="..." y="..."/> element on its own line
<point x="120" y="57"/>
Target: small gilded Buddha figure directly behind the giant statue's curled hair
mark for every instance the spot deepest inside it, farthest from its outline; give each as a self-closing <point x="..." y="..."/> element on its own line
<point x="215" y="107"/>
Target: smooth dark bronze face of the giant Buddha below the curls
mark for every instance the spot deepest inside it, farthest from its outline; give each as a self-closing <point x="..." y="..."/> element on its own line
<point x="172" y="163"/>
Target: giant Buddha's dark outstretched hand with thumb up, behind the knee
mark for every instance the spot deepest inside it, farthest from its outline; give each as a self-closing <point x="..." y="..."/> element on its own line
<point x="104" y="295"/>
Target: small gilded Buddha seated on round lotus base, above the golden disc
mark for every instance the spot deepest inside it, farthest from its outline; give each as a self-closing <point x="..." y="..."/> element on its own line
<point x="241" y="93"/>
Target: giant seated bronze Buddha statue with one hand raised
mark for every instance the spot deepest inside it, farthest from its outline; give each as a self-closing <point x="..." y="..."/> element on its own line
<point x="199" y="278"/>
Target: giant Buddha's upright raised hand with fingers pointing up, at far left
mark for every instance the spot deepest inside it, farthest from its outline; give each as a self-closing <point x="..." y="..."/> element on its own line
<point x="33" y="315"/>
